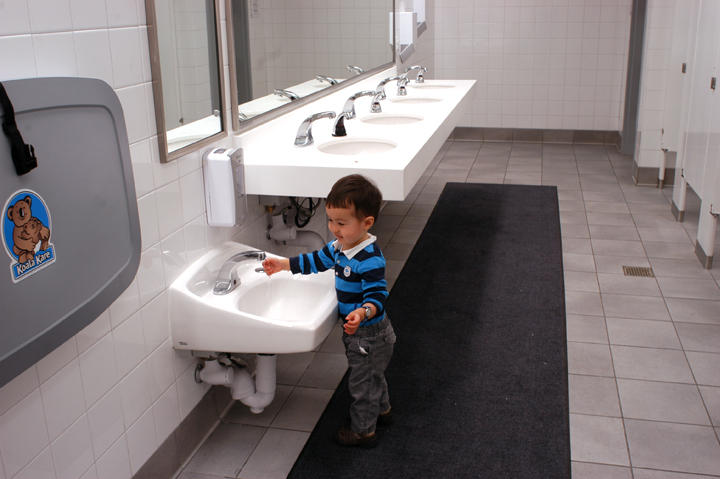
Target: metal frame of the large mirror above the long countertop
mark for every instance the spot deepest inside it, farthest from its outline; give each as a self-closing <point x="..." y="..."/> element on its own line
<point x="270" y="115"/>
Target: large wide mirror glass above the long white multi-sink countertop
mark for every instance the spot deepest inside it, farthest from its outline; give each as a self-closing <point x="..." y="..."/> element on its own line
<point x="285" y="50"/>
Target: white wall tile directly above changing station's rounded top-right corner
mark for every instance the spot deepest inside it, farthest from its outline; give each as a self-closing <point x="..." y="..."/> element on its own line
<point x="92" y="51"/>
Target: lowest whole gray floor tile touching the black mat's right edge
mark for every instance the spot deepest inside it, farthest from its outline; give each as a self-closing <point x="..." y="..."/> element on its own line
<point x="598" y="439"/>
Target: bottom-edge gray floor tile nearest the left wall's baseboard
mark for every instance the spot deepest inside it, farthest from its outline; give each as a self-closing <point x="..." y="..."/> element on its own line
<point x="224" y="453"/>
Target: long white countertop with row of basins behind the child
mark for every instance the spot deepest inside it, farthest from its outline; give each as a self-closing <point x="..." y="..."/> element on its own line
<point x="274" y="166"/>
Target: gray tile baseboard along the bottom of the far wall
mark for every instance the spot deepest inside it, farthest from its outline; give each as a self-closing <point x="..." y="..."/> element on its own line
<point x="530" y="135"/>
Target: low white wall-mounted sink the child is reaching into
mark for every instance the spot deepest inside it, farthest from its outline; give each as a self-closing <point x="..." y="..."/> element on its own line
<point x="281" y="314"/>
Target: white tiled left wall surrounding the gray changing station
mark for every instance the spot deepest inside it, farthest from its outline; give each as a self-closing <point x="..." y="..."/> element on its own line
<point x="102" y="403"/>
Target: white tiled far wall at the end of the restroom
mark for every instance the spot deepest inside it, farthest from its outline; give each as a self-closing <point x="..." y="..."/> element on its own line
<point x="550" y="64"/>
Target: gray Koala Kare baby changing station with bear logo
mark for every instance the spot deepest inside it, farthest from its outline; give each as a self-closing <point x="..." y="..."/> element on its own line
<point x="70" y="228"/>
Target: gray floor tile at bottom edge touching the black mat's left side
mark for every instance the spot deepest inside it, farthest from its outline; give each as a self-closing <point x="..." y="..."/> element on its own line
<point x="267" y="463"/>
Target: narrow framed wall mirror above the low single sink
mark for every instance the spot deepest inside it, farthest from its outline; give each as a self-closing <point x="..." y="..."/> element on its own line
<point x="186" y="59"/>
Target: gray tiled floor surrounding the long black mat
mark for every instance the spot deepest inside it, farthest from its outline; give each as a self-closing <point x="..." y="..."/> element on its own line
<point x="644" y="353"/>
